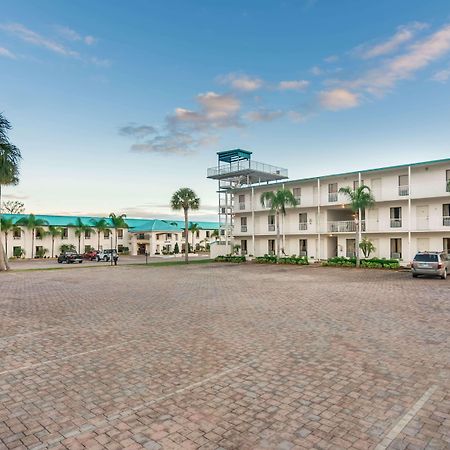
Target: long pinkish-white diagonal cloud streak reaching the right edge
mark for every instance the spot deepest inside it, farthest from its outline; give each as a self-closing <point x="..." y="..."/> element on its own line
<point x="418" y="56"/>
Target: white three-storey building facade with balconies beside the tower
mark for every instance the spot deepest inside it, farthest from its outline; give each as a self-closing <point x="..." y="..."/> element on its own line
<point x="411" y="213"/>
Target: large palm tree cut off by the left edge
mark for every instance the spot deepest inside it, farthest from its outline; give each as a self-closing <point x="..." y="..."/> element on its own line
<point x="9" y="172"/>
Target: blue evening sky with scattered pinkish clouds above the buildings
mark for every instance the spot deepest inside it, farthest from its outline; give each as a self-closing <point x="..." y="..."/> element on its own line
<point x="115" y="104"/>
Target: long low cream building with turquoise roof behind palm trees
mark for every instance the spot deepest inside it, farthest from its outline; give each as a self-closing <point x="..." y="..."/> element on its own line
<point x="151" y="236"/>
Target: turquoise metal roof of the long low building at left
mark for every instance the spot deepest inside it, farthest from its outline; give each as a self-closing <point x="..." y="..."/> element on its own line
<point x="135" y="225"/>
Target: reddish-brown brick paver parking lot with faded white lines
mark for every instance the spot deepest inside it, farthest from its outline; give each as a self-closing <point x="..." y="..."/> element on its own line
<point x="220" y="356"/>
